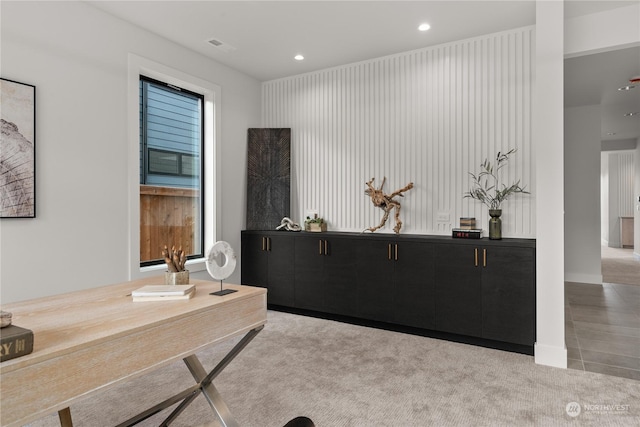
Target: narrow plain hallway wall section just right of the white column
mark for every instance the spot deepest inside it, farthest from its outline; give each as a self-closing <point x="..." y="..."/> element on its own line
<point x="582" y="194"/>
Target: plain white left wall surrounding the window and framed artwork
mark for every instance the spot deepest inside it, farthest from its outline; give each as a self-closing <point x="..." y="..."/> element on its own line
<point x="76" y="56"/>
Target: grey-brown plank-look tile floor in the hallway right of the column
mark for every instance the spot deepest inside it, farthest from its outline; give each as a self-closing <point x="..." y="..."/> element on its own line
<point x="602" y="328"/>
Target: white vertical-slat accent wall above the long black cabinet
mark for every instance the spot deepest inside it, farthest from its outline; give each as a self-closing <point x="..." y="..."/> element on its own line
<point x="429" y="116"/>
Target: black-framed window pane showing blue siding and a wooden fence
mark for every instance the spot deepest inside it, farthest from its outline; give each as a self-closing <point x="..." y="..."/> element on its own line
<point x="171" y="170"/>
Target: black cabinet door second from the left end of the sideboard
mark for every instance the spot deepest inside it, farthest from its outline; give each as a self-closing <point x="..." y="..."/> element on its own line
<point x="280" y="270"/>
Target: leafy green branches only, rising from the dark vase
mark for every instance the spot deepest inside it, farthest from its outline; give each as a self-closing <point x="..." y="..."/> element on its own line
<point x="486" y="184"/>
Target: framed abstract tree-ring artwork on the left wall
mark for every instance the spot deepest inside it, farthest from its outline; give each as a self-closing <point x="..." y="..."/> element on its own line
<point x="17" y="150"/>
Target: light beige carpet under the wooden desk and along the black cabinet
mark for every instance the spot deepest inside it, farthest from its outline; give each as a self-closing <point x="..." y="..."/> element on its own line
<point x="345" y="375"/>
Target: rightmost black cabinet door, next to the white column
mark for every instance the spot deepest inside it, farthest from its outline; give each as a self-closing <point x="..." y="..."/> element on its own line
<point x="508" y="295"/>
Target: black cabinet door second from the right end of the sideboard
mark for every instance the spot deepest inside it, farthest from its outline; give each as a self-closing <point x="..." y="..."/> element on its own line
<point x="458" y="290"/>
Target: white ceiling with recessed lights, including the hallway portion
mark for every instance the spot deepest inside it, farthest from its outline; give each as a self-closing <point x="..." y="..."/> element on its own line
<point x="265" y="36"/>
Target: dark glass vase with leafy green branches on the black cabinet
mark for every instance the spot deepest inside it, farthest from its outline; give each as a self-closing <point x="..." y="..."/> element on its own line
<point x="488" y="189"/>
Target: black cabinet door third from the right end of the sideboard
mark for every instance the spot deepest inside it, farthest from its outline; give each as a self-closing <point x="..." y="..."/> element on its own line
<point x="414" y="283"/>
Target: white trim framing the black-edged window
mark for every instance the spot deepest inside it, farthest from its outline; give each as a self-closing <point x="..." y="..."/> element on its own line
<point x="212" y="210"/>
